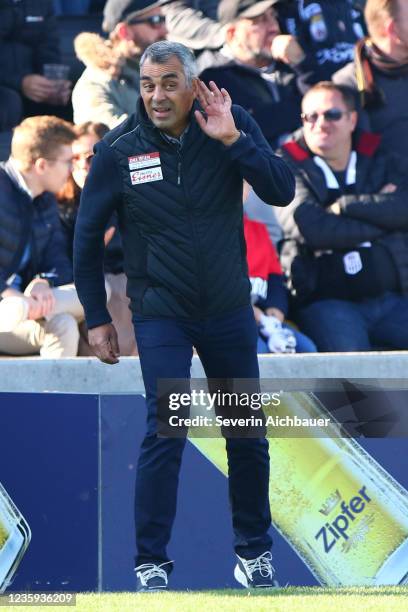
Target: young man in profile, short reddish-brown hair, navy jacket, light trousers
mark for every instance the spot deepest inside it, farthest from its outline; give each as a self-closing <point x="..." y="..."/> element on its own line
<point x="34" y="317"/>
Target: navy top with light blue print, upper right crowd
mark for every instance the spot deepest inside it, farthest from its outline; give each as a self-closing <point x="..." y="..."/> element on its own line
<point x="327" y="32"/>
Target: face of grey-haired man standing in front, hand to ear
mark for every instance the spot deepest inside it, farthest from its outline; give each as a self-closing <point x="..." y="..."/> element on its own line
<point x="166" y="95"/>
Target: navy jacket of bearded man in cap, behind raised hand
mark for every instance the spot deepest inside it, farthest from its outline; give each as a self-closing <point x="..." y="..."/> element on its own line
<point x="271" y="96"/>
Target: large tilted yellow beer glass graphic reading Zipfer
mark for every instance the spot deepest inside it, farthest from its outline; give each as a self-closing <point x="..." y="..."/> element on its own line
<point x="344" y="515"/>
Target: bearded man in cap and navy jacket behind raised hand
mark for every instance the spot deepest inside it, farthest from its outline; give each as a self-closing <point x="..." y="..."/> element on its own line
<point x="246" y="69"/>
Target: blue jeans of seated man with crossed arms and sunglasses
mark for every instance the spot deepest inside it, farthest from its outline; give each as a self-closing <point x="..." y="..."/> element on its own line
<point x="375" y="323"/>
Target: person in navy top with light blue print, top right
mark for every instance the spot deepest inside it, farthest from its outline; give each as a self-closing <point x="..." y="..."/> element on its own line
<point x="321" y="38"/>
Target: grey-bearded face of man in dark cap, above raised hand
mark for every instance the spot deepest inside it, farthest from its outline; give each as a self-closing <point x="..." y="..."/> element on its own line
<point x="251" y="39"/>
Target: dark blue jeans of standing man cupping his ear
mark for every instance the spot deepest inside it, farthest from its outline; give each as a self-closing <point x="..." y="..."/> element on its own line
<point x="227" y="348"/>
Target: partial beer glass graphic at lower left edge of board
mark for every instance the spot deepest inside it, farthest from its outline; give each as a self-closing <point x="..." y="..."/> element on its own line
<point x="15" y="536"/>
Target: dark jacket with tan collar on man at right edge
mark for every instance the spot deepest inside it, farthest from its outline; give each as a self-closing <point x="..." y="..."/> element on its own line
<point x="383" y="97"/>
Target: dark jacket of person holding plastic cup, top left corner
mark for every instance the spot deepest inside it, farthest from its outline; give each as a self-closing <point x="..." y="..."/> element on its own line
<point x="28" y="39"/>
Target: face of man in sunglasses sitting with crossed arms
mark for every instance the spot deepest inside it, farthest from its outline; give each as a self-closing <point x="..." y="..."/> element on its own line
<point x="325" y="136"/>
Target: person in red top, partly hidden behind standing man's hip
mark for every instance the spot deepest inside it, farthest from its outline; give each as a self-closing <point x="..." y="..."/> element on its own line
<point x="269" y="295"/>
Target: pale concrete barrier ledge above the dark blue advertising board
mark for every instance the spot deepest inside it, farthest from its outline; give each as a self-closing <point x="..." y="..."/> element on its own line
<point x="85" y="375"/>
